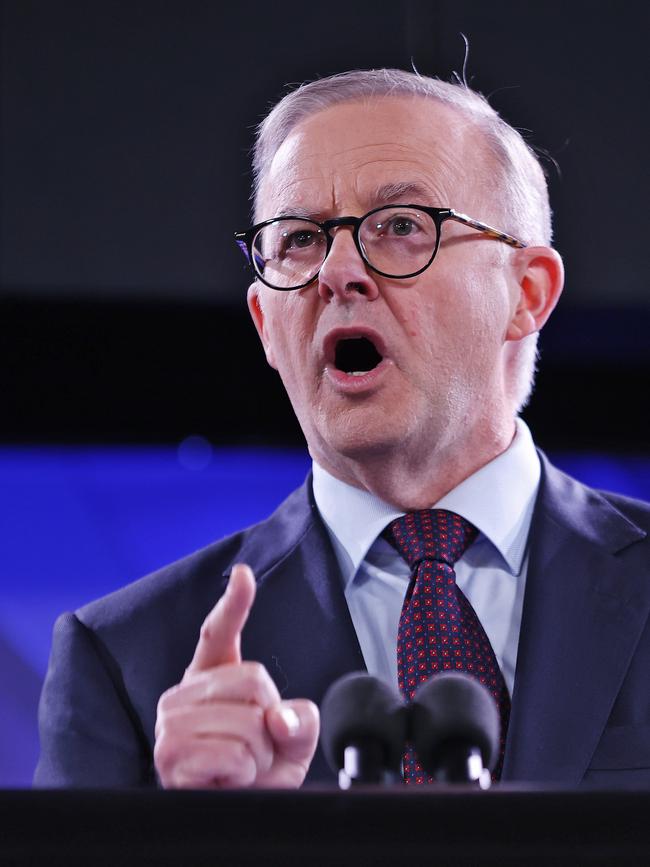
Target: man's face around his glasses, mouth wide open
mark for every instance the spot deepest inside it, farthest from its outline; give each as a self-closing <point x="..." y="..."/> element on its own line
<point x="440" y="335"/>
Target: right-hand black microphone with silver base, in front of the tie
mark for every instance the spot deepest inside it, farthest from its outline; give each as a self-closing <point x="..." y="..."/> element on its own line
<point x="455" y="729"/>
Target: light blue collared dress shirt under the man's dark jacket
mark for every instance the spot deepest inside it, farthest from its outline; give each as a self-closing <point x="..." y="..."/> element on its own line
<point x="498" y="499"/>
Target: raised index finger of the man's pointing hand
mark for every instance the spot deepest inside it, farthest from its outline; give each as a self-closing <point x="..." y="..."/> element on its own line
<point x="219" y="641"/>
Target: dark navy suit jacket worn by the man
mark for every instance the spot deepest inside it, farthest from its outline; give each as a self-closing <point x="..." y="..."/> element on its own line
<point x="581" y="703"/>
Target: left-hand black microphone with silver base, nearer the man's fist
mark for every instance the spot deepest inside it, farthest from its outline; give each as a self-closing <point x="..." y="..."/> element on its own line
<point x="363" y="730"/>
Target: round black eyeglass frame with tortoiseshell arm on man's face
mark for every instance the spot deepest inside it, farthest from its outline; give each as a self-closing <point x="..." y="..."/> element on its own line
<point x="244" y="240"/>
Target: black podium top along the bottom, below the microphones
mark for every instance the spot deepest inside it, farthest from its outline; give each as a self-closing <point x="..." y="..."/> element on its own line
<point x="448" y="826"/>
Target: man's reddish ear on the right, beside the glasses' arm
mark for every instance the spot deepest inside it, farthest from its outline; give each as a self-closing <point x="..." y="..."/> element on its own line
<point x="540" y="276"/>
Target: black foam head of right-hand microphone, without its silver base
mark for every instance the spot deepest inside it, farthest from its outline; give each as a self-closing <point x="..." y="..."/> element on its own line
<point x="453" y="707"/>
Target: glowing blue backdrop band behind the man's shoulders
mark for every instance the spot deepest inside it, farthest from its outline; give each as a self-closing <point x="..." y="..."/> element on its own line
<point x="80" y="522"/>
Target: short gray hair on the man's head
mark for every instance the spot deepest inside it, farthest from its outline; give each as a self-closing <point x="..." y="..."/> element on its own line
<point x="526" y="213"/>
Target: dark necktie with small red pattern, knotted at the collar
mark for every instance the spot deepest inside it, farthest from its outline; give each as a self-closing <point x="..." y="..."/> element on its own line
<point x="438" y="628"/>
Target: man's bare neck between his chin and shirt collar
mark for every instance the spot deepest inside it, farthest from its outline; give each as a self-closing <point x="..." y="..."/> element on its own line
<point x="415" y="479"/>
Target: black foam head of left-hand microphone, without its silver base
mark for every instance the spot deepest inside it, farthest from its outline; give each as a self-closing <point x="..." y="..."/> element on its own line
<point x="359" y="708"/>
